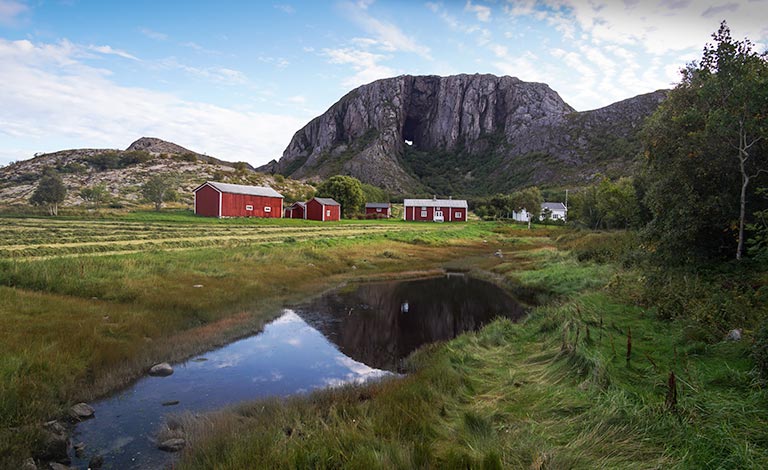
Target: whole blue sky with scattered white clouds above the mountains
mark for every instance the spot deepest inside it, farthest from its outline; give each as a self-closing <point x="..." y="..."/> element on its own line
<point x="236" y="80"/>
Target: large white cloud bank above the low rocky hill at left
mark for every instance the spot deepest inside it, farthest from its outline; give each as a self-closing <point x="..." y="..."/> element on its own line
<point x="48" y="93"/>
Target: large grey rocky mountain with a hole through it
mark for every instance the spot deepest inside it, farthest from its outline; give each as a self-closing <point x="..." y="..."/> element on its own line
<point x="465" y="134"/>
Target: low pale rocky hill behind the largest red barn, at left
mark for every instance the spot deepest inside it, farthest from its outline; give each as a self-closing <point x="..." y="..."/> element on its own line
<point x="122" y="172"/>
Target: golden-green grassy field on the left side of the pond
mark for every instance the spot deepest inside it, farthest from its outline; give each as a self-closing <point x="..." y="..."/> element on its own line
<point x="76" y="326"/>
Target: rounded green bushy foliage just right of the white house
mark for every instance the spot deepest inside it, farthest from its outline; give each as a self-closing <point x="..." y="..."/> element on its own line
<point x="607" y="205"/>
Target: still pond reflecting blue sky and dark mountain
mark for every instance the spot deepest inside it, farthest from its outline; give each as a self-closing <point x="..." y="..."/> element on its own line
<point x="350" y="335"/>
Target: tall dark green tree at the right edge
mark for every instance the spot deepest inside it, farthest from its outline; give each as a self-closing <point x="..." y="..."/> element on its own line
<point x="705" y="145"/>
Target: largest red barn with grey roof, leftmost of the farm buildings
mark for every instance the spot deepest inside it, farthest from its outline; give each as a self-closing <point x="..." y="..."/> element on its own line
<point x="214" y="199"/>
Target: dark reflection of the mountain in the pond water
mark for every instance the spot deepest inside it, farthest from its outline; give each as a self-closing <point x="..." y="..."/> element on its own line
<point x="379" y="324"/>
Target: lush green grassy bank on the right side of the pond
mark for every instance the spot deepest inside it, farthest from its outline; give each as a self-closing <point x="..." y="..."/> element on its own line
<point x="560" y="390"/>
